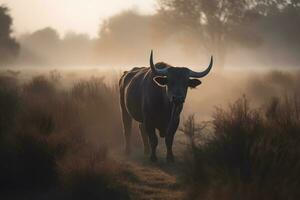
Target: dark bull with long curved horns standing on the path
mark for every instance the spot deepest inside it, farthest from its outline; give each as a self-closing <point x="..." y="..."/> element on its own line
<point x="154" y="97"/>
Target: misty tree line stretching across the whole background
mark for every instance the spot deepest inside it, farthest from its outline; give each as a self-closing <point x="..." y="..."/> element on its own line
<point x="195" y="27"/>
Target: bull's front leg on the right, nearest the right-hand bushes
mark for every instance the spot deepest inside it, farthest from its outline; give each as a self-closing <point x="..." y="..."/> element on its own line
<point x="169" y="140"/>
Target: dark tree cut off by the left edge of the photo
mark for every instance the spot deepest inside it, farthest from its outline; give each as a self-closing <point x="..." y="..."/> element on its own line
<point x="9" y="48"/>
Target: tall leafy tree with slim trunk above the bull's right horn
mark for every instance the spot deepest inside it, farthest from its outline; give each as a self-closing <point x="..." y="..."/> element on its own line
<point x="216" y="23"/>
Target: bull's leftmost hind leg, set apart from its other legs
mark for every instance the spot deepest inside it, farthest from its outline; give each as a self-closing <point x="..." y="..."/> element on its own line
<point x="127" y="124"/>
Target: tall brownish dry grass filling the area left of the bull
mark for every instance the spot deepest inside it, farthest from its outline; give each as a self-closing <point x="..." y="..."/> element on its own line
<point x="54" y="142"/>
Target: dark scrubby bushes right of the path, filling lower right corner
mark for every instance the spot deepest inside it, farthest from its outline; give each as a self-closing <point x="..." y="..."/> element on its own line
<point x="252" y="154"/>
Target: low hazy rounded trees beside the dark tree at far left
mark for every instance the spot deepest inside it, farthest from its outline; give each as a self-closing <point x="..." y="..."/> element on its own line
<point x="45" y="46"/>
